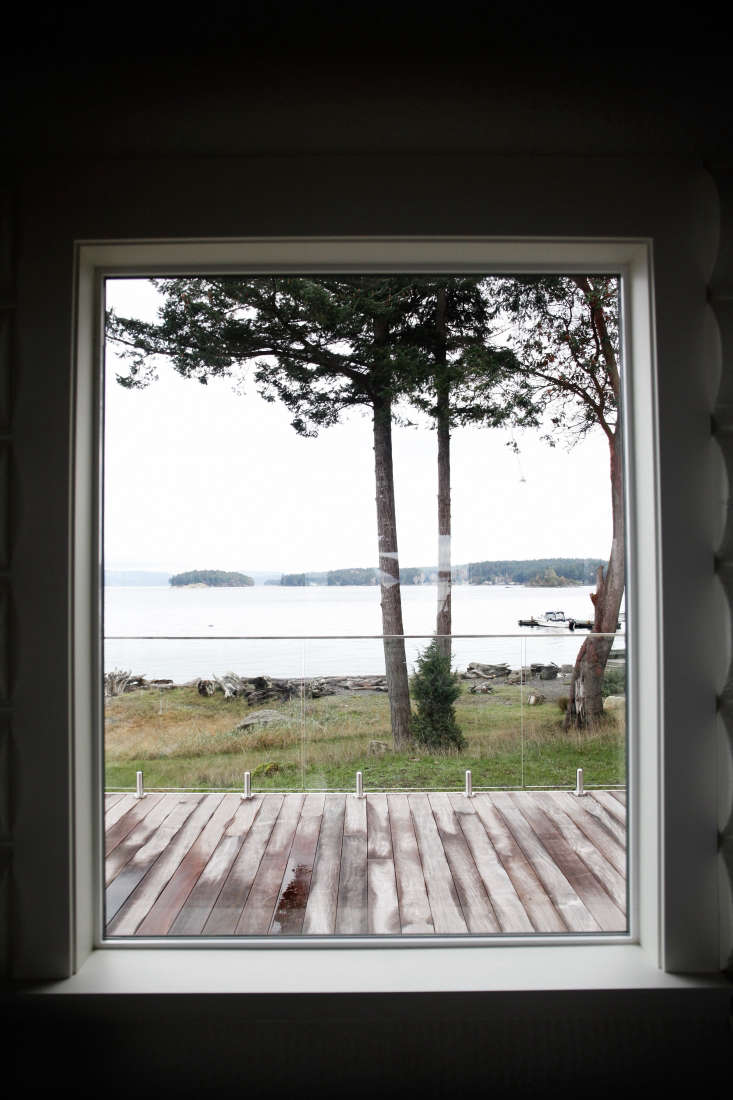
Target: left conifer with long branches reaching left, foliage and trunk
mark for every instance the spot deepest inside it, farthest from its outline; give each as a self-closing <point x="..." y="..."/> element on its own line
<point x="321" y="346"/>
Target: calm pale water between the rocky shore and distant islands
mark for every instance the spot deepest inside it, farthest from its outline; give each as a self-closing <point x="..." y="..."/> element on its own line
<point x="270" y="610"/>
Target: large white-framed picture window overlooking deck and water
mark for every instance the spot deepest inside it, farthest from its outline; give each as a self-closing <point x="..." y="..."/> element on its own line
<point x="420" y="749"/>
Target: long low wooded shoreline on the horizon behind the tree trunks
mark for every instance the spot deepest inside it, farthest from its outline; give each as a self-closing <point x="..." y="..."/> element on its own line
<point x="537" y="573"/>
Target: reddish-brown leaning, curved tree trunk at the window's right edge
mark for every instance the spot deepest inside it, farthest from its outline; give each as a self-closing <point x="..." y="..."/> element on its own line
<point x="586" y="703"/>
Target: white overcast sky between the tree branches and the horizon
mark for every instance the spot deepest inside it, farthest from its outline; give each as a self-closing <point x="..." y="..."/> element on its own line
<point x="203" y="478"/>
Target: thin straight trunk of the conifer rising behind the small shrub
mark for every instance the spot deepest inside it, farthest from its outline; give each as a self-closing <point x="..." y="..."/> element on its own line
<point x="444" y="620"/>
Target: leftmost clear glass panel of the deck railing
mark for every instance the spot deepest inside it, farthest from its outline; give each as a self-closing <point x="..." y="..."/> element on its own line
<point x="196" y="714"/>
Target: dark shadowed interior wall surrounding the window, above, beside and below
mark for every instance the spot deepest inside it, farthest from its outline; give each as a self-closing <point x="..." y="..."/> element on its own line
<point x="170" y="145"/>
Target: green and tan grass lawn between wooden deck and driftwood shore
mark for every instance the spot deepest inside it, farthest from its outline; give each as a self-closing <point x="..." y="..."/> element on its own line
<point x="182" y="740"/>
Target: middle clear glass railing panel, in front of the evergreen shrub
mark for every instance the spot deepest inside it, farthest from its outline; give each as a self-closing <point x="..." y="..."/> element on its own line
<point x="348" y="724"/>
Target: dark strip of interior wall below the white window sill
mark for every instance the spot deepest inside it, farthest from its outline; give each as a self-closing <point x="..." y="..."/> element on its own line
<point x="507" y="1046"/>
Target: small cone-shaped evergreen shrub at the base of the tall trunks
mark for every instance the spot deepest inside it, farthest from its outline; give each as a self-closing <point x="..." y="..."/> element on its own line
<point x="435" y="689"/>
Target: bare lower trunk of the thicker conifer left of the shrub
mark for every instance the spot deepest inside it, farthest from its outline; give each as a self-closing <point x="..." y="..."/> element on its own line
<point x="387" y="530"/>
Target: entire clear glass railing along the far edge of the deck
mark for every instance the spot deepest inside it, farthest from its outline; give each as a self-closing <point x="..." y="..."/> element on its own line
<point x="310" y="713"/>
